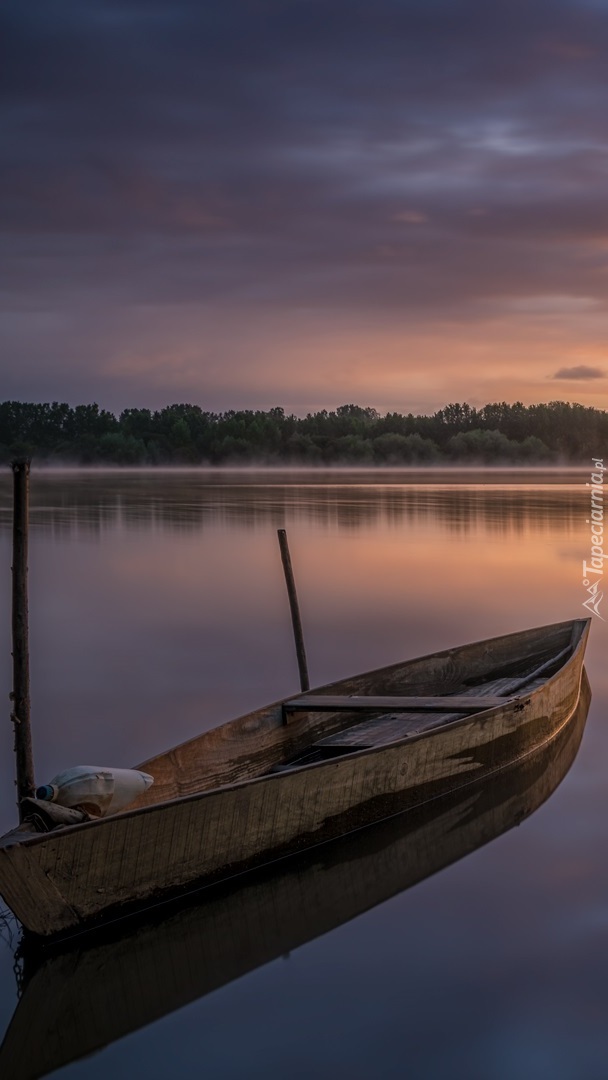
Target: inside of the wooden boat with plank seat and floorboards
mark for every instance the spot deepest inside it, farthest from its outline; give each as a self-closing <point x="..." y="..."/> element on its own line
<point x="370" y="710"/>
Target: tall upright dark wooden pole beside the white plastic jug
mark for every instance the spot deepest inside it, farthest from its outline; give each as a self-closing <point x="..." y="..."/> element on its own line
<point x="20" y="697"/>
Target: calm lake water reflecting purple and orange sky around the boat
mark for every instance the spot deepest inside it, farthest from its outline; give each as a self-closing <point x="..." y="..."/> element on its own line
<point x="158" y="609"/>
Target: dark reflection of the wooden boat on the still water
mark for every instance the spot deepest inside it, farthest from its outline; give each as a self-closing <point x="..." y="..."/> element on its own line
<point x="82" y="1000"/>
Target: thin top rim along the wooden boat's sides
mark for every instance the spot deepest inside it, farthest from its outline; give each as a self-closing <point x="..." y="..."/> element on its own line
<point x="512" y="703"/>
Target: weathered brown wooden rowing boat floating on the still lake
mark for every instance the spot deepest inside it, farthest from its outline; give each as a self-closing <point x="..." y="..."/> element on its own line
<point x="299" y="773"/>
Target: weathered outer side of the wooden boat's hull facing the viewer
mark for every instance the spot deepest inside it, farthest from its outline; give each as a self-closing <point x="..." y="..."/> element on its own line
<point x="64" y="881"/>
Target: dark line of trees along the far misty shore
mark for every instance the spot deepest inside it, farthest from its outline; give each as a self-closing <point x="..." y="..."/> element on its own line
<point x="187" y="435"/>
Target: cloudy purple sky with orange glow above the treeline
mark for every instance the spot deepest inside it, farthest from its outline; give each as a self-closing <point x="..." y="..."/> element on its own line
<point x="252" y="204"/>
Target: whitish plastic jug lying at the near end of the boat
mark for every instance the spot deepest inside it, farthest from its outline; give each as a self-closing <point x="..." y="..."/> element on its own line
<point x="97" y="790"/>
